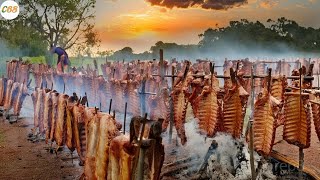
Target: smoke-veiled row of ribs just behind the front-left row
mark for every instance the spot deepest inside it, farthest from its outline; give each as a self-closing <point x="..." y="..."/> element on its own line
<point x="102" y="90"/>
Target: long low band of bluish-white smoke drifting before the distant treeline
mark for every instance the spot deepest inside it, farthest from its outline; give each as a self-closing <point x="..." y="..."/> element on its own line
<point x="226" y="49"/>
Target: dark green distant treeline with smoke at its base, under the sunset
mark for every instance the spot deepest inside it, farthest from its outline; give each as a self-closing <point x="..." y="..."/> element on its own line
<point x="239" y="39"/>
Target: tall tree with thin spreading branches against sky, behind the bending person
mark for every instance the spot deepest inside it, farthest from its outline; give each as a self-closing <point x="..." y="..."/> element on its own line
<point x="62" y="22"/>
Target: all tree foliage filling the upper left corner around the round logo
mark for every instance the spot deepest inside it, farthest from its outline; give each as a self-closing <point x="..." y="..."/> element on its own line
<point x="65" y="23"/>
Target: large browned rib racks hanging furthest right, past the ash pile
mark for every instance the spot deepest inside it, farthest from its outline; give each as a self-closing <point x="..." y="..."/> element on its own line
<point x="277" y="105"/>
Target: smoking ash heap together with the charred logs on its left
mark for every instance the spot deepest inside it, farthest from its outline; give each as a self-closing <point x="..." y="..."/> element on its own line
<point x="226" y="158"/>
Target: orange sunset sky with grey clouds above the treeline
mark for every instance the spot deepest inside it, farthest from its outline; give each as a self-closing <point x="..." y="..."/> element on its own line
<point x="141" y="23"/>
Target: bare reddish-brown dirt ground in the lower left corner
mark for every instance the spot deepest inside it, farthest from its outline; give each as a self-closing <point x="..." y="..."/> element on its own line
<point x="22" y="159"/>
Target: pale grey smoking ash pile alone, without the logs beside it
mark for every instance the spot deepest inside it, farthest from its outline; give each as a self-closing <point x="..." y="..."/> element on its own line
<point x="228" y="158"/>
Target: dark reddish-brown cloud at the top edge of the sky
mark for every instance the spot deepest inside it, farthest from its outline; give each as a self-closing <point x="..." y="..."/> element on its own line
<point x="205" y="4"/>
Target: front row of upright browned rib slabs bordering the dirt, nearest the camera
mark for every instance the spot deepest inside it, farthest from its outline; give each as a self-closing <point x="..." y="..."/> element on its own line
<point x="95" y="135"/>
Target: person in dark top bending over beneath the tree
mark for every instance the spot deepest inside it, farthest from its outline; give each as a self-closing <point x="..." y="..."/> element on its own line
<point x="63" y="62"/>
